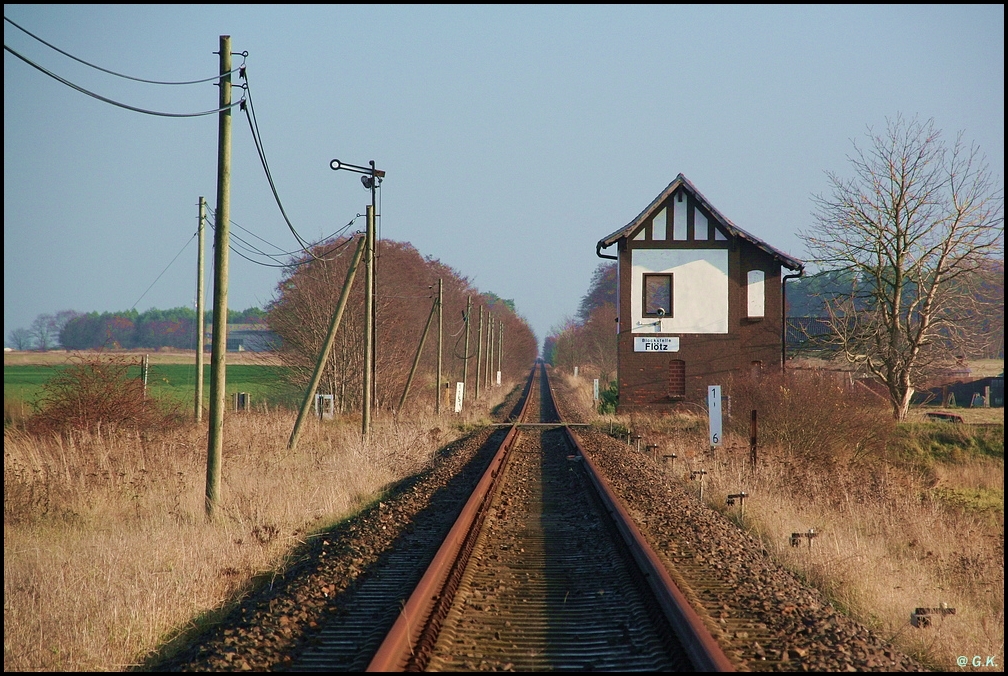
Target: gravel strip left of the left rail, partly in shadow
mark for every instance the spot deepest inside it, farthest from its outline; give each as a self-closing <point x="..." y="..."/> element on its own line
<point x="321" y="590"/>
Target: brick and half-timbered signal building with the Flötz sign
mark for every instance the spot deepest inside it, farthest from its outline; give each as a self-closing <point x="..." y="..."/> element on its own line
<point x="699" y="300"/>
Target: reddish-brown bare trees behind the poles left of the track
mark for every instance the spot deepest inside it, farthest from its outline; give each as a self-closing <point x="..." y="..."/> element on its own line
<point x="407" y="287"/>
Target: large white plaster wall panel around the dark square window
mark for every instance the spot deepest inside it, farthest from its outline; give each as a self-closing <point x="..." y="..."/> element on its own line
<point x="700" y="291"/>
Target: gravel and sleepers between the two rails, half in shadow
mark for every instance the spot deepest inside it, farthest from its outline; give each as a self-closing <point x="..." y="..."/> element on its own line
<point x="549" y="588"/>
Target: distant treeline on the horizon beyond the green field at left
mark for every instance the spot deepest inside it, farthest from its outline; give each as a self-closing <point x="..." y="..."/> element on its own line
<point x="174" y="328"/>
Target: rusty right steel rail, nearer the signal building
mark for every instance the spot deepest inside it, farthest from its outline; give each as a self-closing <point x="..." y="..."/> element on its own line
<point x="701" y="646"/>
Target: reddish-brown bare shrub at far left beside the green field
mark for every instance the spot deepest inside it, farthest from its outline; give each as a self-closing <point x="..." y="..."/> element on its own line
<point x="94" y="392"/>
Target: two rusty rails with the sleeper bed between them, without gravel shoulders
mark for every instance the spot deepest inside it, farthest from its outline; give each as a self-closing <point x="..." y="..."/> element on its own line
<point x="543" y="572"/>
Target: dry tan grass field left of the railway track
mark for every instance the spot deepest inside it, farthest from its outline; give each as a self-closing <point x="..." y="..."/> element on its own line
<point x="107" y="553"/>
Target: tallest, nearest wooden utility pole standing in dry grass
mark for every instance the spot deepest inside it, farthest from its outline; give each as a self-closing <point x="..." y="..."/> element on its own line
<point x="221" y="236"/>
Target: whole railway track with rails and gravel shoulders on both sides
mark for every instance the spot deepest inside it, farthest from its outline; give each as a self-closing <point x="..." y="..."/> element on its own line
<point x="511" y="552"/>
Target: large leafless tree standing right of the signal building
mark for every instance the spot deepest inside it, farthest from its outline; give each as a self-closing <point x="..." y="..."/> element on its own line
<point x="915" y="225"/>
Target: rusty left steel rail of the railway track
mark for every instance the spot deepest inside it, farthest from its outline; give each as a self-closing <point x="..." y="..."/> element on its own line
<point x="398" y="649"/>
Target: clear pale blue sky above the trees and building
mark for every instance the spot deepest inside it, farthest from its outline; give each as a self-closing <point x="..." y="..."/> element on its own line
<point x="515" y="138"/>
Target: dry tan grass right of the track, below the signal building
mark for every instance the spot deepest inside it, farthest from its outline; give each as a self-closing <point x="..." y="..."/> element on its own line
<point x="890" y="539"/>
